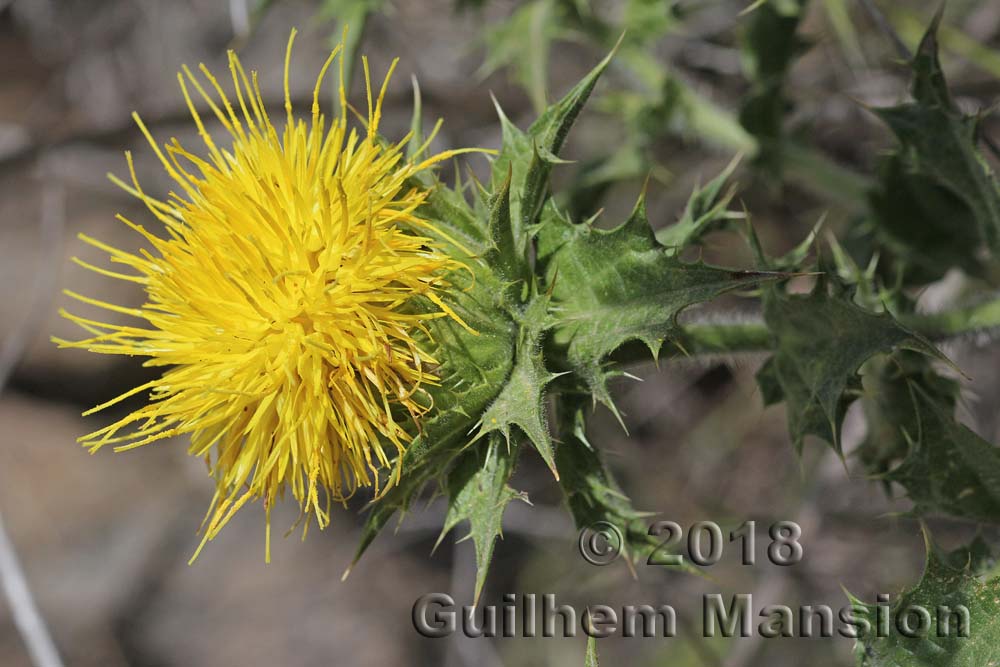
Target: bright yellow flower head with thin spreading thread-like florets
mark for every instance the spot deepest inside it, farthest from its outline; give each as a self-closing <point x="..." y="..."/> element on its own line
<point x="278" y="299"/>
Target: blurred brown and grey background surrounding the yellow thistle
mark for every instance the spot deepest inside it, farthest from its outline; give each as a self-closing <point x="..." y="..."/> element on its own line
<point x="105" y="539"/>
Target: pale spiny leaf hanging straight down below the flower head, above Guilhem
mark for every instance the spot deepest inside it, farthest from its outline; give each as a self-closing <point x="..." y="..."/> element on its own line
<point x="478" y="493"/>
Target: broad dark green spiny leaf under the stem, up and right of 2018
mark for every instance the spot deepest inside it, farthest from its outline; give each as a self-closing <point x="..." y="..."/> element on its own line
<point x="820" y="342"/>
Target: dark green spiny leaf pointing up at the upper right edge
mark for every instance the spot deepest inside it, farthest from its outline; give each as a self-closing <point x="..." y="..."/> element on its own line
<point x="939" y="142"/>
